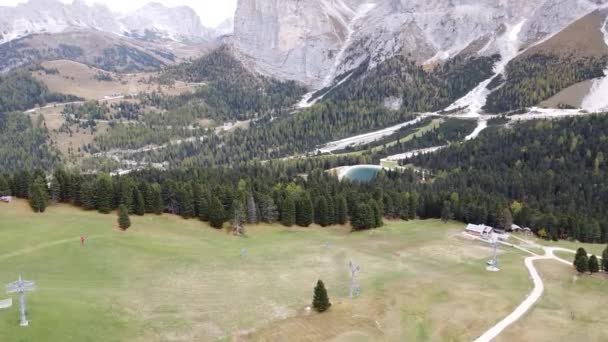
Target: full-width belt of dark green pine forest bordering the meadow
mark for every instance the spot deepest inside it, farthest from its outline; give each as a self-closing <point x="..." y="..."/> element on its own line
<point x="548" y="175"/>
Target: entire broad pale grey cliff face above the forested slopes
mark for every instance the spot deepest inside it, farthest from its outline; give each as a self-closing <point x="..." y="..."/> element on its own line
<point x="314" y="41"/>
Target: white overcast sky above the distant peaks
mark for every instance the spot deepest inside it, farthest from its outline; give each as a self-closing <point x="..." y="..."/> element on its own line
<point x="212" y="12"/>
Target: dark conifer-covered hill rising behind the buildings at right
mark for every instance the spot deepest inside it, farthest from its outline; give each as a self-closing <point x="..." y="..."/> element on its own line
<point x="556" y="170"/>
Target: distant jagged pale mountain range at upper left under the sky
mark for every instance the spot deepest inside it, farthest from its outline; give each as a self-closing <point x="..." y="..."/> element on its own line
<point x="146" y="39"/>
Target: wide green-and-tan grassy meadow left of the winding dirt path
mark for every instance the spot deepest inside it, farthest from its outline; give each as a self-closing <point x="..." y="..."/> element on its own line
<point x="168" y="279"/>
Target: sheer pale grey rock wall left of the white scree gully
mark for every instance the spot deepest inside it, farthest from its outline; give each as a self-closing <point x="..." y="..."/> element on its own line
<point x="292" y="39"/>
